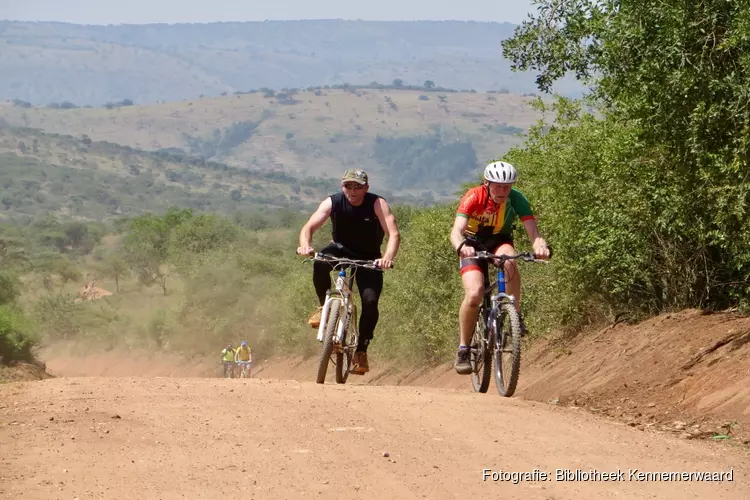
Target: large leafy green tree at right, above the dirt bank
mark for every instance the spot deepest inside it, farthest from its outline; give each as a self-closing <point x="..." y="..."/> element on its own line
<point x="670" y="79"/>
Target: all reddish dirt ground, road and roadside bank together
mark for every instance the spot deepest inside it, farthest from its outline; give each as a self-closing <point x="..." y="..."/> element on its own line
<point x="597" y="401"/>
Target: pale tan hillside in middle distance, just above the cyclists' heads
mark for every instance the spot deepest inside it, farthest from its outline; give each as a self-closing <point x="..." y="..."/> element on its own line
<point x="314" y="133"/>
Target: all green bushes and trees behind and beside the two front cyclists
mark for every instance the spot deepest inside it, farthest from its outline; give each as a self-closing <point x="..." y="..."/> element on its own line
<point x="641" y="187"/>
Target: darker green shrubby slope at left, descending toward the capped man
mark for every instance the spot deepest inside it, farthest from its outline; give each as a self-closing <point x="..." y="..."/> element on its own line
<point x="77" y="177"/>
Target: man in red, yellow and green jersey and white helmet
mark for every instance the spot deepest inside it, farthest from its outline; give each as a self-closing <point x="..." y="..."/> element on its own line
<point x="486" y="213"/>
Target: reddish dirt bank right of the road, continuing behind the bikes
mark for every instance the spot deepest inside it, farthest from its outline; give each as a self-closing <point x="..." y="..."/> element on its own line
<point x="686" y="372"/>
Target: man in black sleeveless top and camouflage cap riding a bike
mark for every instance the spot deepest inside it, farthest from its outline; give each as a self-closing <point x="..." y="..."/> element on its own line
<point x="360" y="222"/>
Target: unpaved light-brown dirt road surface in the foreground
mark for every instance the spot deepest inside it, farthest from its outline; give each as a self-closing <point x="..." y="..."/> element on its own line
<point x="164" y="438"/>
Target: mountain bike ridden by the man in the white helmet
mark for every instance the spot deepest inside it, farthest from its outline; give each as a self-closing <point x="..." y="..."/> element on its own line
<point x="497" y="334"/>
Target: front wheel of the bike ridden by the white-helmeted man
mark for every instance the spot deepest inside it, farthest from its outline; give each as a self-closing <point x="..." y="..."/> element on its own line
<point x="507" y="350"/>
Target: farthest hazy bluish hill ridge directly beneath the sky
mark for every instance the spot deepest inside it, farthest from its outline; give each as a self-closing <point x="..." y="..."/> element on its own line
<point x="46" y="62"/>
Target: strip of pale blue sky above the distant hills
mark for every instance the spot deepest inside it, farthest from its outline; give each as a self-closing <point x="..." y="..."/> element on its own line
<point x="199" y="11"/>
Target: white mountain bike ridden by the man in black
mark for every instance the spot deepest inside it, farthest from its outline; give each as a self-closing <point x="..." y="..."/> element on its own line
<point x="338" y="330"/>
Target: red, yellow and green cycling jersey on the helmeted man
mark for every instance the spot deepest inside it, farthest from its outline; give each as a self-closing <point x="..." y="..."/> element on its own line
<point x="486" y="218"/>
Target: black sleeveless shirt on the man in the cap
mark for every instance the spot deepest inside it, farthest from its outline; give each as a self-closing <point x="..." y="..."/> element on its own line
<point x="357" y="228"/>
